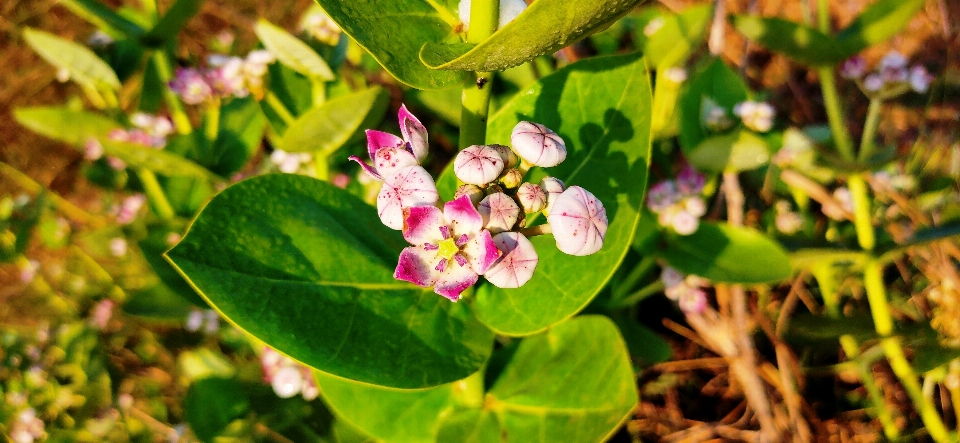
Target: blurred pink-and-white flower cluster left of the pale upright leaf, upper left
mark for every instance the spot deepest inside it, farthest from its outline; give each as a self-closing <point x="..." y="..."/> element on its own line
<point x="224" y="77"/>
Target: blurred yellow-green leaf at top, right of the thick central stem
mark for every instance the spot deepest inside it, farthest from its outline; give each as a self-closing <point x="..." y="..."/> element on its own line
<point x="679" y="36"/>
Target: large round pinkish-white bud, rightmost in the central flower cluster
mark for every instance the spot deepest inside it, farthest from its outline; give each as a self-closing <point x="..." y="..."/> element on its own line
<point x="578" y="221"/>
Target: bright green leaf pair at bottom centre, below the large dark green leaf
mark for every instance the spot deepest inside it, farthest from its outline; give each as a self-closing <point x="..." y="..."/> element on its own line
<point x="573" y="382"/>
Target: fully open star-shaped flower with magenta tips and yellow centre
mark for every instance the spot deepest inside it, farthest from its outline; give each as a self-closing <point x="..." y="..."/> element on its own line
<point x="450" y="248"/>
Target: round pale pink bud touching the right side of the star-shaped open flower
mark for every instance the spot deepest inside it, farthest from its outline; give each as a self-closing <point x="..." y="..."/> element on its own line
<point x="515" y="267"/>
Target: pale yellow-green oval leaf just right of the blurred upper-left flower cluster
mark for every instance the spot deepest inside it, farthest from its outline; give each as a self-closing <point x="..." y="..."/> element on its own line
<point x="293" y="52"/>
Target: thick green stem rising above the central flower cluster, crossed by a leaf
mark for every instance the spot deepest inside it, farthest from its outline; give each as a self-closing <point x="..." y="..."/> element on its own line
<point x="475" y="101"/>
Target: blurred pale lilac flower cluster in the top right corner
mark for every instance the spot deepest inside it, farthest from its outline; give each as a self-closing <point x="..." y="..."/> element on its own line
<point x="892" y="76"/>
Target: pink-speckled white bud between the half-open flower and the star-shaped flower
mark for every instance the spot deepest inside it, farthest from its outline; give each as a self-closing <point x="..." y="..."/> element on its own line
<point x="409" y="187"/>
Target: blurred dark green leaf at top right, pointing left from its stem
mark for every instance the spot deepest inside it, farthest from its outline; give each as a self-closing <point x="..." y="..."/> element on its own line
<point x="798" y="42"/>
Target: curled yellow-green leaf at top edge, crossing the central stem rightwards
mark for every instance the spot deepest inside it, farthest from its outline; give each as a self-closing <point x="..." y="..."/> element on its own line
<point x="543" y="28"/>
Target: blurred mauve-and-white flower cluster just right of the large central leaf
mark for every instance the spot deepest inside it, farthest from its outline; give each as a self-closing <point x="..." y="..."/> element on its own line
<point x="678" y="203"/>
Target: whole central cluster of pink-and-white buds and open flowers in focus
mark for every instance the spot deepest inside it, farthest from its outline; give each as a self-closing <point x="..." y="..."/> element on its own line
<point x="483" y="230"/>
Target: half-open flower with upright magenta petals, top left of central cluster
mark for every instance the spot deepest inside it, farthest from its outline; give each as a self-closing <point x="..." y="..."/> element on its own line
<point x="390" y="153"/>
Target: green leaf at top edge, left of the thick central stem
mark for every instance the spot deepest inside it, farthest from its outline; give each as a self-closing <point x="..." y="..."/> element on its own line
<point x="393" y="32"/>
